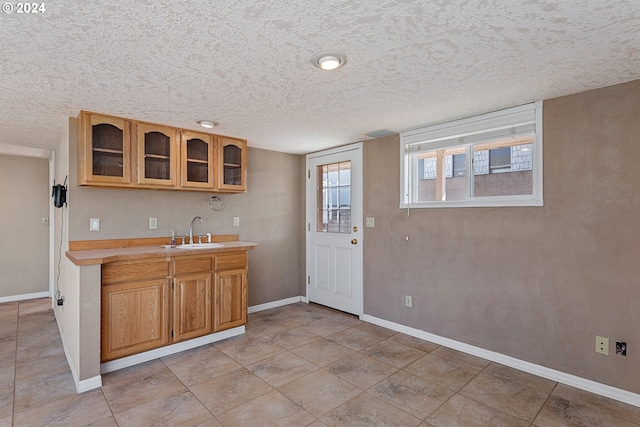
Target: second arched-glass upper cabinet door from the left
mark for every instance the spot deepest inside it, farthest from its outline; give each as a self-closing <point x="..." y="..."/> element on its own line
<point x="157" y="155"/>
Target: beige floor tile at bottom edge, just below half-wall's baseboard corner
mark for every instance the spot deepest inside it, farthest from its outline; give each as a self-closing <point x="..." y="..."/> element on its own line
<point x="79" y="410"/>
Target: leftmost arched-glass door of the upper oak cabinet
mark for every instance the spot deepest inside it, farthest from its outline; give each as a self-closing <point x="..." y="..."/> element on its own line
<point x="105" y="150"/>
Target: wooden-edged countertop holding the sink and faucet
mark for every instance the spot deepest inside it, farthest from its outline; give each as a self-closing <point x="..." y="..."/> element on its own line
<point x="103" y="256"/>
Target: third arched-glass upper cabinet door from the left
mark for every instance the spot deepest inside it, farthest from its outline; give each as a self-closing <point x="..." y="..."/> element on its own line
<point x="196" y="160"/>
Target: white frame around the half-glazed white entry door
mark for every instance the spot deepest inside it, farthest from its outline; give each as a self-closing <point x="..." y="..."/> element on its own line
<point x="357" y="197"/>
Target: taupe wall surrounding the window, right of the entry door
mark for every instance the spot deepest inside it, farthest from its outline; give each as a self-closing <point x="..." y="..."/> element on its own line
<point x="535" y="283"/>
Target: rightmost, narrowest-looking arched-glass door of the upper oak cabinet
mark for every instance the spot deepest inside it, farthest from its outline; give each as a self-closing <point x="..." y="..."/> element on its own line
<point x="232" y="164"/>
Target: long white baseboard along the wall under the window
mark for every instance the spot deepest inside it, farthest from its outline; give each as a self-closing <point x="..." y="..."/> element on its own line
<point x="541" y="371"/>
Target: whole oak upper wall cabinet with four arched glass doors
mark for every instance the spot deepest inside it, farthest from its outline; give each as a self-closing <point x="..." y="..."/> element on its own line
<point x="118" y="152"/>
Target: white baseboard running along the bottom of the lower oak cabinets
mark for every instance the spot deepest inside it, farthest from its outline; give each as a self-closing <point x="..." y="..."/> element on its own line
<point x="157" y="353"/>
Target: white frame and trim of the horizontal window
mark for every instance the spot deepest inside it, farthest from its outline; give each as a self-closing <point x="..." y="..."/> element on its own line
<point x="459" y="128"/>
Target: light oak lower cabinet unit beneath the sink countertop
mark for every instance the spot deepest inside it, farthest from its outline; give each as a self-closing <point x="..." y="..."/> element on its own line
<point x="149" y="304"/>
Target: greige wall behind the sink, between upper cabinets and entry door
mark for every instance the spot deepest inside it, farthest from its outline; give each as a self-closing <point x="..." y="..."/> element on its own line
<point x="269" y="214"/>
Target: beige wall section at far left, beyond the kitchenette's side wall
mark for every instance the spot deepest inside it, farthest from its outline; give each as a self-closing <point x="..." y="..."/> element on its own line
<point x="25" y="202"/>
